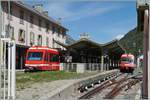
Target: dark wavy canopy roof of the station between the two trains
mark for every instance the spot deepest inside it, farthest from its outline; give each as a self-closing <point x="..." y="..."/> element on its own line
<point x="85" y="50"/>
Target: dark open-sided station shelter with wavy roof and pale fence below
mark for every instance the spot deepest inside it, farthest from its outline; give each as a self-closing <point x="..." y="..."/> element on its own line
<point x="87" y="55"/>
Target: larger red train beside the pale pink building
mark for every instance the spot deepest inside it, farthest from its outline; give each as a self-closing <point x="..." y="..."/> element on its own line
<point x="42" y="58"/>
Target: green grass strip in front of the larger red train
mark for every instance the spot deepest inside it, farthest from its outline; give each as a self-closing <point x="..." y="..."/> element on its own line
<point x="24" y="80"/>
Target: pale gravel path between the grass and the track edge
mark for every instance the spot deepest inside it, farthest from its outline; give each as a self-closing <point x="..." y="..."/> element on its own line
<point x="40" y="90"/>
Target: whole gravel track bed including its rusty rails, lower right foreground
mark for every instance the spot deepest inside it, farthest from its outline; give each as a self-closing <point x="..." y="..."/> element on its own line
<point x="128" y="87"/>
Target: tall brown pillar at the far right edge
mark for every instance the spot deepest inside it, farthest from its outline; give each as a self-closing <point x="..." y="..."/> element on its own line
<point x="147" y="49"/>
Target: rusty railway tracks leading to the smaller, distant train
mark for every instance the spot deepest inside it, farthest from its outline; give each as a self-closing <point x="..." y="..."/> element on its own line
<point x="116" y="84"/>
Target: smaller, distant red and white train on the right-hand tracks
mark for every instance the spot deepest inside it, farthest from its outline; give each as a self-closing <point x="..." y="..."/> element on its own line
<point x="127" y="63"/>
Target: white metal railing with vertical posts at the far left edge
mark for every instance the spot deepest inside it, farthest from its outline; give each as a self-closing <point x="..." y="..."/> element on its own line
<point x="7" y="70"/>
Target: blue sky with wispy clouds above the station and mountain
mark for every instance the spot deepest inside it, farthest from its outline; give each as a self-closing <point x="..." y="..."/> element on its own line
<point x="102" y="20"/>
